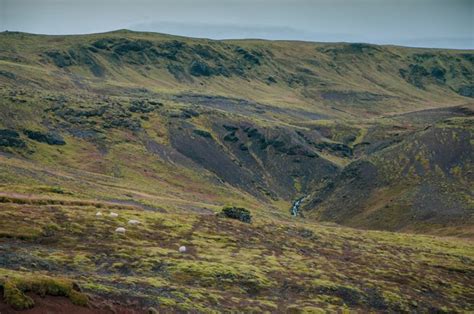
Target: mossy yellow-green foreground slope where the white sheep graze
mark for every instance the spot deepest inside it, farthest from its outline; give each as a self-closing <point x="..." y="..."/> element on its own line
<point x="268" y="265"/>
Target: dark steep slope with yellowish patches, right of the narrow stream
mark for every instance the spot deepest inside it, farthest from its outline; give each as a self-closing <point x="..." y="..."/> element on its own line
<point x="419" y="182"/>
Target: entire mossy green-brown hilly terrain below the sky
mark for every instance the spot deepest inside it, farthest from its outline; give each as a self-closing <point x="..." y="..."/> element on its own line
<point x="169" y="130"/>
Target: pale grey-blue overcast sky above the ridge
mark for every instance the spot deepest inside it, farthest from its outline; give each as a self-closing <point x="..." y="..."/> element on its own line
<point x="422" y="23"/>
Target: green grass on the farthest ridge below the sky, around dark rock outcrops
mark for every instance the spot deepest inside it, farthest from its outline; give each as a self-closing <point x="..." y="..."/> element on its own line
<point x="292" y="63"/>
